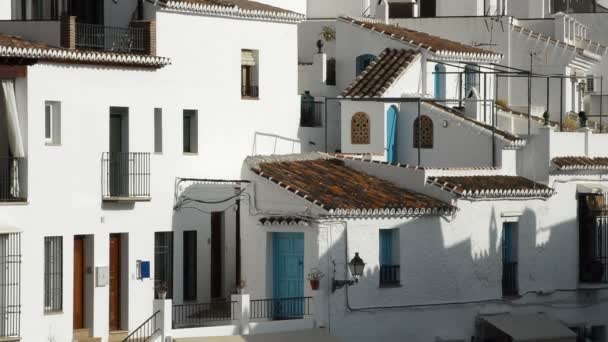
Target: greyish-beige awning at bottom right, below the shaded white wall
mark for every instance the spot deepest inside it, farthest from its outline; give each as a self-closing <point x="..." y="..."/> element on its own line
<point x="532" y="327"/>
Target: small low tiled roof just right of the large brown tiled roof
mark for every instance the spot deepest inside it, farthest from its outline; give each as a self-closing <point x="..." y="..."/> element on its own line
<point x="491" y="186"/>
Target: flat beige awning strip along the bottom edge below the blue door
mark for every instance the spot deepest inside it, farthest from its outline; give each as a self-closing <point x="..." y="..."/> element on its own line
<point x="314" y="335"/>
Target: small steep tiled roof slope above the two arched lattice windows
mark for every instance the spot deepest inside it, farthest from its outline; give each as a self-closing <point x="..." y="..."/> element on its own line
<point x="382" y="72"/>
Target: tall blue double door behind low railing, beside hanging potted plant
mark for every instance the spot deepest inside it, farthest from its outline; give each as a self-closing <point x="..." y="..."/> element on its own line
<point x="288" y="275"/>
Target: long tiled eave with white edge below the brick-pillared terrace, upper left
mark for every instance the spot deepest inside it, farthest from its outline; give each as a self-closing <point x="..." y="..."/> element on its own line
<point x="16" y="47"/>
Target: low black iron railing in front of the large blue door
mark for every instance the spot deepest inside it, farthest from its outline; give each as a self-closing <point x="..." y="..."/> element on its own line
<point x="280" y="308"/>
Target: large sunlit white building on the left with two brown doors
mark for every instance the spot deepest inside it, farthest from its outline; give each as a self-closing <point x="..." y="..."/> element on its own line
<point x="101" y="117"/>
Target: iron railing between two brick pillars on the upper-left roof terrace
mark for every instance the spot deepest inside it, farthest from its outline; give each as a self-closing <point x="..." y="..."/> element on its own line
<point x="114" y="39"/>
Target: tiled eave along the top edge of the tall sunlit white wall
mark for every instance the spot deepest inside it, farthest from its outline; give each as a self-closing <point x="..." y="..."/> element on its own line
<point x="234" y="8"/>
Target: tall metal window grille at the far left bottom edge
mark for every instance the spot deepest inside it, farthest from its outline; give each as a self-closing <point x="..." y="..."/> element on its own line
<point x="10" y="285"/>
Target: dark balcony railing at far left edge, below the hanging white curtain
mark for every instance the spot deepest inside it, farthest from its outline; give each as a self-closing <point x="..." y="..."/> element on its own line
<point x="12" y="179"/>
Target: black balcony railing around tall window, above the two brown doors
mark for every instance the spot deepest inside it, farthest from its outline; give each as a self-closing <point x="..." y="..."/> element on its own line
<point x="125" y="176"/>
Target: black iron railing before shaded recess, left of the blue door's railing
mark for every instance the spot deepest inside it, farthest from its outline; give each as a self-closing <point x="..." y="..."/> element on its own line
<point x="201" y="314"/>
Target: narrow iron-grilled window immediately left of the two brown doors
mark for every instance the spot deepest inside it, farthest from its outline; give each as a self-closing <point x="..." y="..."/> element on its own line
<point x="53" y="273"/>
